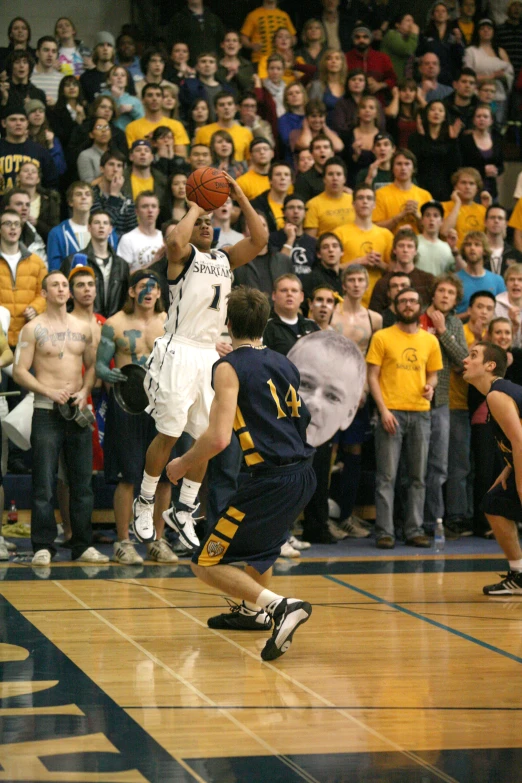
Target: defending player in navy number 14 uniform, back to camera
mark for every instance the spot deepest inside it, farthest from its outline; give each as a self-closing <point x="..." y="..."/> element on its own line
<point x="257" y="395"/>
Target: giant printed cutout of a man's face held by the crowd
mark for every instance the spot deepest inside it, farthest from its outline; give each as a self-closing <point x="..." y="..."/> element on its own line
<point x="333" y="374"/>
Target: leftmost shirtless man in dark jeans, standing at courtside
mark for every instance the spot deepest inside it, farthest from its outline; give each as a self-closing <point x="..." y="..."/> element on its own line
<point x="56" y="346"/>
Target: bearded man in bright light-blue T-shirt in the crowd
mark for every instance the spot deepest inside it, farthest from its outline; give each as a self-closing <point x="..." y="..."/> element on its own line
<point x="475" y="252"/>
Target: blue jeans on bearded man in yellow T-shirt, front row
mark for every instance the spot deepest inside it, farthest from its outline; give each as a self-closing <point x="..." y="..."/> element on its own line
<point x="411" y="438"/>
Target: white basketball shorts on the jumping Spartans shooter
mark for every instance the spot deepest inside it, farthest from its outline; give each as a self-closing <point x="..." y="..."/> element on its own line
<point x="179" y="386"/>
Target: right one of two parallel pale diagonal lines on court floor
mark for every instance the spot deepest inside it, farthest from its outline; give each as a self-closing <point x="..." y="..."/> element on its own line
<point x="385" y="740"/>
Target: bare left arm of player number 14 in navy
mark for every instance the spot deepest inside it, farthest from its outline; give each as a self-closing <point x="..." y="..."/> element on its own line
<point x="221" y="423"/>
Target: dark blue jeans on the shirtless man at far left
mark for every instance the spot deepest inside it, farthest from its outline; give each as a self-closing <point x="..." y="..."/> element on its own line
<point x="50" y="434"/>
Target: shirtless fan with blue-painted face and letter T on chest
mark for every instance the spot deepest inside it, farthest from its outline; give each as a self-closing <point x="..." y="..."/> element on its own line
<point x="128" y="338"/>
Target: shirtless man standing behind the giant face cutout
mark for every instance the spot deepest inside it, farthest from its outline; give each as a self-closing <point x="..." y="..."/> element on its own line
<point x="351" y="318"/>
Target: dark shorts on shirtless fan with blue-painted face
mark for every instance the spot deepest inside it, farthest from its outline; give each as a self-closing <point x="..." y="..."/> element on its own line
<point x="127" y="438"/>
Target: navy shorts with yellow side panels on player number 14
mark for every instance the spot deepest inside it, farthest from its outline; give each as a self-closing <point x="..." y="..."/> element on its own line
<point x="257" y="520"/>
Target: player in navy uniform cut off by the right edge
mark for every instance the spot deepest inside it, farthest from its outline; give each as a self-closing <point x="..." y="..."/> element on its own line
<point x="485" y="368"/>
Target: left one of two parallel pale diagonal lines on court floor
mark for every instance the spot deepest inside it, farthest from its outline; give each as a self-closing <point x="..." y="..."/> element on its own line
<point x="281" y="757"/>
